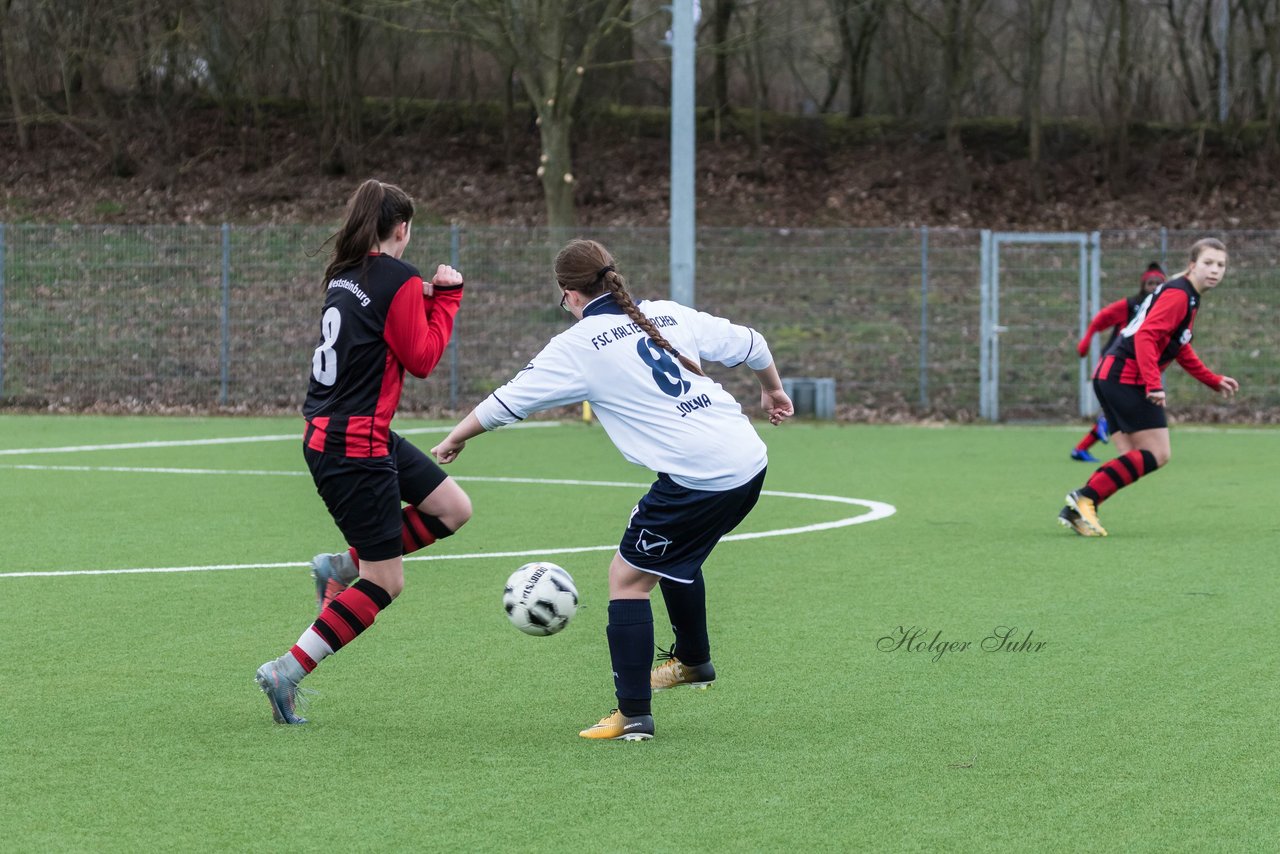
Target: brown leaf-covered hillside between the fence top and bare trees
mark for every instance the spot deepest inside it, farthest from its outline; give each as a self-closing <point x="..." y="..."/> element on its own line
<point x="467" y="168"/>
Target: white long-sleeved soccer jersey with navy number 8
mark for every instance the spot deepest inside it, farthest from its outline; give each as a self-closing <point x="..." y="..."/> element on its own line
<point x="656" y="412"/>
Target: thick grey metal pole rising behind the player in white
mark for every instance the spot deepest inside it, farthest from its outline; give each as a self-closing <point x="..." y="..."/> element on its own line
<point x="683" y="158"/>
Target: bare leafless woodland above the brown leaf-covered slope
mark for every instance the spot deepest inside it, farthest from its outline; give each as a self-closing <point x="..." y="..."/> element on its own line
<point x="118" y="74"/>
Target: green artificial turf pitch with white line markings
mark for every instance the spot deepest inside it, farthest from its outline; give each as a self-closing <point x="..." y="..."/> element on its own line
<point x="1137" y="710"/>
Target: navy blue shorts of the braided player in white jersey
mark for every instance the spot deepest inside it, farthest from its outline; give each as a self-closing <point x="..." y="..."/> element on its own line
<point x="674" y="529"/>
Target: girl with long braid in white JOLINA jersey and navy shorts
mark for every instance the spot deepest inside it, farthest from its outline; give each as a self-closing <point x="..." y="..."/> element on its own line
<point x="639" y="367"/>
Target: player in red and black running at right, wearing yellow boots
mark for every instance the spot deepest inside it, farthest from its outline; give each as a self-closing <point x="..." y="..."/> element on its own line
<point x="1130" y="383"/>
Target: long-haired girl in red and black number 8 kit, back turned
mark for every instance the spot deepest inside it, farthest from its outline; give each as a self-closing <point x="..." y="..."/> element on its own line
<point x="380" y="319"/>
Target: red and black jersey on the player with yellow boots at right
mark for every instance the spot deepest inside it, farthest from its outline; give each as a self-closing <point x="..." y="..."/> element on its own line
<point x="1158" y="335"/>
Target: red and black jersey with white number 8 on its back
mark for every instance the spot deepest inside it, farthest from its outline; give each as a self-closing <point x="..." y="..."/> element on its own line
<point x="376" y="326"/>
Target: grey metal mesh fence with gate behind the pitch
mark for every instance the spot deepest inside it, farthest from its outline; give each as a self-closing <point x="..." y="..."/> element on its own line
<point x="908" y="322"/>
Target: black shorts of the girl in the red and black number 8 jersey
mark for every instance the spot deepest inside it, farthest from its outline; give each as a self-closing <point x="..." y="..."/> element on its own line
<point x="364" y="496"/>
